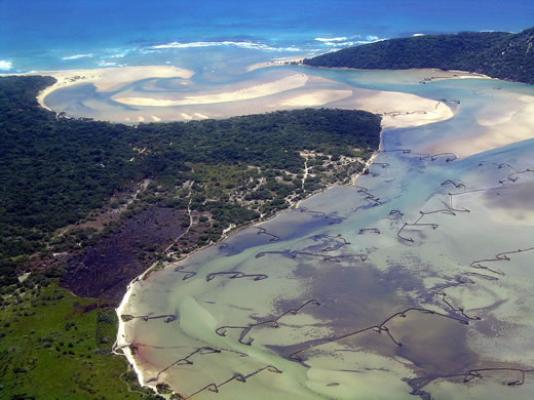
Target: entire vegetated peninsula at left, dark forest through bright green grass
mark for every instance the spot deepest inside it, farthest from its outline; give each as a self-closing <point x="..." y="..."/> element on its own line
<point x="87" y="206"/>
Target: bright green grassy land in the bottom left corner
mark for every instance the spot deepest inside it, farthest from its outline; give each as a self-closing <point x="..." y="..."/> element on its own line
<point x="54" y="345"/>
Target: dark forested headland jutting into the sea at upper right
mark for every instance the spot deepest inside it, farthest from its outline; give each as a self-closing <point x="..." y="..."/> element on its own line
<point x="497" y="54"/>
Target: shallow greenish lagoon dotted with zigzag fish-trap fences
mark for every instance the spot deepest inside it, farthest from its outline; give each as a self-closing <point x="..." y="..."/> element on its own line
<point x="414" y="281"/>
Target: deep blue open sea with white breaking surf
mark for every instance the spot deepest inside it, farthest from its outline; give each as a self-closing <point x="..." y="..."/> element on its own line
<point x="59" y="34"/>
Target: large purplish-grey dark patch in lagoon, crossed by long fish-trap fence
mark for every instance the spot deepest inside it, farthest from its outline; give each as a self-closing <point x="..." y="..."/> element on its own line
<point x="354" y="298"/>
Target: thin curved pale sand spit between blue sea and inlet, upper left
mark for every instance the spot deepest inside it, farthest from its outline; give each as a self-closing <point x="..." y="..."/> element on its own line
<point x="106" y="79"/>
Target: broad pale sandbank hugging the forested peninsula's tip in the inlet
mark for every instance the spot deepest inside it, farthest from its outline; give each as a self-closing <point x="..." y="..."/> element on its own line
<point x="292" y="91"/>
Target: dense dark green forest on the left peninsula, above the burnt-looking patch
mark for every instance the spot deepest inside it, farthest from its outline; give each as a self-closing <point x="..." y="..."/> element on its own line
<point x="53" y="171"/>
